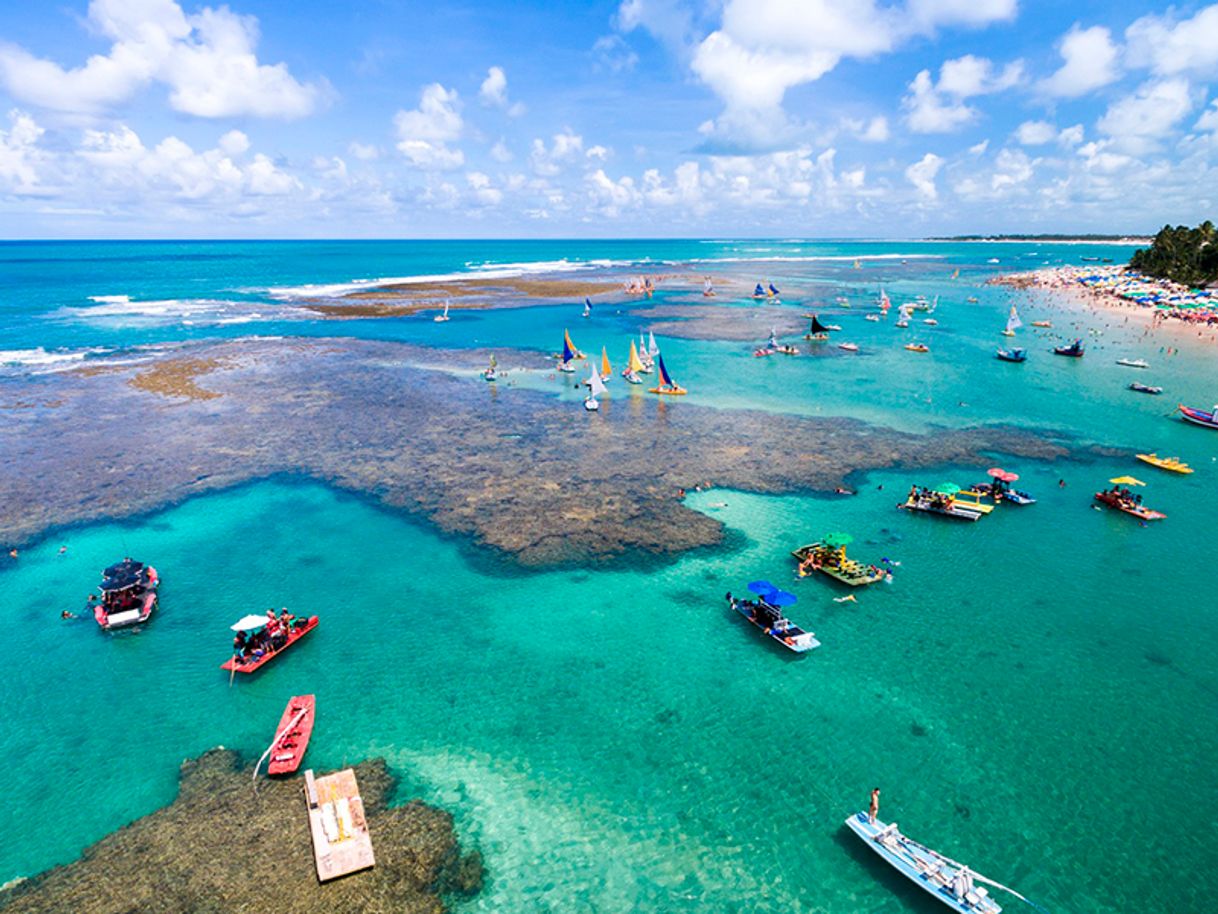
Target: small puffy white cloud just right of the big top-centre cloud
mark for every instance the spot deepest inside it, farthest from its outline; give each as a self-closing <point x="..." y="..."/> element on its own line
<point x="941" y="107"/>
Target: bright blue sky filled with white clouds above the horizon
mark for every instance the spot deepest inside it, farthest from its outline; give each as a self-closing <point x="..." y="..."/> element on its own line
<point x="639" y="119"/>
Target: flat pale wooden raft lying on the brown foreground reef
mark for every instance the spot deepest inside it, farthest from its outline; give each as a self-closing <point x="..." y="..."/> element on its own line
<point x="342" y="844"/>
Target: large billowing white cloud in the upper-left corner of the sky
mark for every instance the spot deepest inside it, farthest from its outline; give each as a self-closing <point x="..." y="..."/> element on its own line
<point x="206" y="60"/>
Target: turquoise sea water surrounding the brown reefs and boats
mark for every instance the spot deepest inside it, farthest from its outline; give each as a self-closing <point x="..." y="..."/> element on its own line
<point x="1036" y="694"/>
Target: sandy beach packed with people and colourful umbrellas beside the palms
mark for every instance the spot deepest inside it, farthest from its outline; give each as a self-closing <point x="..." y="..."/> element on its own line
<point x="1116" y="285"/>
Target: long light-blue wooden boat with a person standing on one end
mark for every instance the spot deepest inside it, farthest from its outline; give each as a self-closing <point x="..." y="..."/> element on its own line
<point x="949" y="882"/>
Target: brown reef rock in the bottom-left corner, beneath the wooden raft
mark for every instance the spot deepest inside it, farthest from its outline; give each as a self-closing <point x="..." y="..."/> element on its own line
<point x="222" y="848"/>
